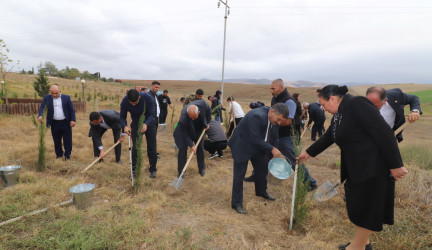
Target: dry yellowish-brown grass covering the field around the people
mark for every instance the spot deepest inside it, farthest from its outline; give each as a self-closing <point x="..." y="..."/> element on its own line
<point x="199" y="214"/>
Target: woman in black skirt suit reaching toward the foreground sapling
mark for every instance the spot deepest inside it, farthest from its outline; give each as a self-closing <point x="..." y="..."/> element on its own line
<point x="370" y="160"/>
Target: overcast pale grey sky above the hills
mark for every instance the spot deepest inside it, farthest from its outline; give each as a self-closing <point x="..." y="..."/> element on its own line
<point x="331" y="41"/>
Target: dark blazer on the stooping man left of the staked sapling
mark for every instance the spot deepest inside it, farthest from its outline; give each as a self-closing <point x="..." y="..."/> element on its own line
<point x="111" y="118"/>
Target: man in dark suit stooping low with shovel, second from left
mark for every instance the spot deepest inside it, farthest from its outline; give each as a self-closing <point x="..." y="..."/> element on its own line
<point x="100" y="122"/>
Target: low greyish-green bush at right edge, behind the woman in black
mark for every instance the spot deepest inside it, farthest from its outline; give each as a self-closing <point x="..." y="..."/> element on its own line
<point x="417" y="155"/>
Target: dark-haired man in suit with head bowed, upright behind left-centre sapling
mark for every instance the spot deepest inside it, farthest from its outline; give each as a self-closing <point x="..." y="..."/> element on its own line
<point x="137" y="103"/>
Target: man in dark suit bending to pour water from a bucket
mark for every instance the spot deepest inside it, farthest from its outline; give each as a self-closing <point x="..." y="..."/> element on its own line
<point x="255" y="139"/>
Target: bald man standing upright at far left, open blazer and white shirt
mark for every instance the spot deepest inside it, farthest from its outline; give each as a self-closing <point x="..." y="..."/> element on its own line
<point x="61" y="119"/>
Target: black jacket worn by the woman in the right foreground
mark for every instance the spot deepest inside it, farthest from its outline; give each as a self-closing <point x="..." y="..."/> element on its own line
<point x="368" y="146"/>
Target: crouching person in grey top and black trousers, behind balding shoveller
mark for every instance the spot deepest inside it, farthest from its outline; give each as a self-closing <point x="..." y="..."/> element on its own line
<point x="216" y="140"/>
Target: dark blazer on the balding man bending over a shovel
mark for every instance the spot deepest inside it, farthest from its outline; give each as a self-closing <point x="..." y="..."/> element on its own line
<point x="185" y="134"/>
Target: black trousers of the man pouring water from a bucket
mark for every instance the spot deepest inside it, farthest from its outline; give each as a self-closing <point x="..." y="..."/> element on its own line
<point x="259" y="162"/>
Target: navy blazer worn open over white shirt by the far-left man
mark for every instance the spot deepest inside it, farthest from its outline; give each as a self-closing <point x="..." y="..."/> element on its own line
<point x="68" y="110"/>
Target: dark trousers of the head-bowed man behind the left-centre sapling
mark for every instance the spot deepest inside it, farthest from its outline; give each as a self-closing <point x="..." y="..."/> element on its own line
<point x="150" y="135"/>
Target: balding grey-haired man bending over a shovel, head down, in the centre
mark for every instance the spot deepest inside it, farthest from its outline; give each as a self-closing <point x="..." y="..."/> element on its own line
<point x="195" y="117"/>
